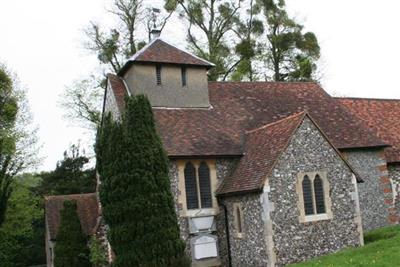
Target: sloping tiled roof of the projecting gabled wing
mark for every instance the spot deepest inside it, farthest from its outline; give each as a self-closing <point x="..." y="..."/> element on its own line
<point x="262" y="148"/>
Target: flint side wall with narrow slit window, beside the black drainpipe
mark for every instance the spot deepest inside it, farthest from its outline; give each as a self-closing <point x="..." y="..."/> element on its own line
<point x="250" y="249"/>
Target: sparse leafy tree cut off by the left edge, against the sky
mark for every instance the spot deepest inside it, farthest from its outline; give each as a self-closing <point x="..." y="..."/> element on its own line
<point x="18" y="141"/>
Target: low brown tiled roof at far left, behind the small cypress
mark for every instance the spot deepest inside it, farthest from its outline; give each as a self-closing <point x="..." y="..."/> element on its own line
<point x="87" y="207"/>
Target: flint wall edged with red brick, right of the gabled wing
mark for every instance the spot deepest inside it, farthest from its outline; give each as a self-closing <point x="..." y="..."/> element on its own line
<point x="375" y="193"/>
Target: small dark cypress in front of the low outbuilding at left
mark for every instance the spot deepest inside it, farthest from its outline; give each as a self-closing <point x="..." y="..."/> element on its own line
<point x="71" y="247"/>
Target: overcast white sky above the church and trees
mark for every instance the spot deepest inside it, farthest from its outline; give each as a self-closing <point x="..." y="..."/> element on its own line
<point x="41" y="41"/>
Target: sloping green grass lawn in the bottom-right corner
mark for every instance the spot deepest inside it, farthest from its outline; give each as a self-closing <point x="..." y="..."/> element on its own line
<point x="382" y="248"/>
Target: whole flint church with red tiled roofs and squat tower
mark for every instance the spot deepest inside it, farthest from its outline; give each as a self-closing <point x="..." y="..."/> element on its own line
<point x="265" y="173"/>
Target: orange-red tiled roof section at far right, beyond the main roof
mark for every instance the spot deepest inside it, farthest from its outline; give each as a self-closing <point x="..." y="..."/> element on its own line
<point x="382" y="115"/>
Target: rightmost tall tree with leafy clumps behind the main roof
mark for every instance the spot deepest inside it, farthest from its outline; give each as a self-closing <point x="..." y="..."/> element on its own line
<point x="291" y="55"/>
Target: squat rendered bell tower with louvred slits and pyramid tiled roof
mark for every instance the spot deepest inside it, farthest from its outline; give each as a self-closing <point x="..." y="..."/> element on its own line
<point x="169" y="76"/>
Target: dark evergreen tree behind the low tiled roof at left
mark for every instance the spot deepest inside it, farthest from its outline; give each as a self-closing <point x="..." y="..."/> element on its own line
<point x="70" y="176"/>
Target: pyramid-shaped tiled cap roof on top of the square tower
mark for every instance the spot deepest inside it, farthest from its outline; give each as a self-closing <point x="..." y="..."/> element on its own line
<point x="159" y="51"/>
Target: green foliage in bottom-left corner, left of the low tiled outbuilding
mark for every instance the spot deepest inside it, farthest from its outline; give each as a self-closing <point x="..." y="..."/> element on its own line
<point x="22" y="234"/>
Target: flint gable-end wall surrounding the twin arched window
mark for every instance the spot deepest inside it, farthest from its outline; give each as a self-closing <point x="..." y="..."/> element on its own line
<point x="295" y="241"/>
